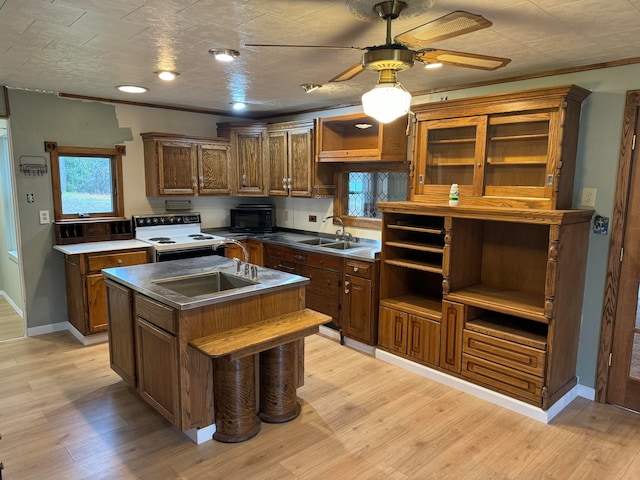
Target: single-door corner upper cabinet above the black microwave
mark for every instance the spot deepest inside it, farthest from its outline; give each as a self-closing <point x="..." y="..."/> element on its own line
<point x="248" y="147"/>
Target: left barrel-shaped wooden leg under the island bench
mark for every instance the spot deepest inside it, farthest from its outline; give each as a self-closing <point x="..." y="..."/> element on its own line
<point x="234" y="397"/>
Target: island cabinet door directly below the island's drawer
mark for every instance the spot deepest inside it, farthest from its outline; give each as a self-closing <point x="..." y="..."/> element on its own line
<point x="158" y="369"/>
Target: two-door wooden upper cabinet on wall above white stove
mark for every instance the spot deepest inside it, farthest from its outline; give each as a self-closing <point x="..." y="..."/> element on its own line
<point x="180" y="165"/>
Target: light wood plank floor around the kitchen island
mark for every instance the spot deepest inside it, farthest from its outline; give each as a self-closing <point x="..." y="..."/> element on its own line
<point x="65" y="415"/>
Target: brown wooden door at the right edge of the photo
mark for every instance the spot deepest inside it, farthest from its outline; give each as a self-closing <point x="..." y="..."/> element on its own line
<point x="624" y="375"/>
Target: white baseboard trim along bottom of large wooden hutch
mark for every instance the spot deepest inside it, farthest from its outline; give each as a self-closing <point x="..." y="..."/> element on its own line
<point x="536" y="413"/>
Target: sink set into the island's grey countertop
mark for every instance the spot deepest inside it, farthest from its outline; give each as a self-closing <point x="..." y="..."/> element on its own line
<point x="204" y="283"/>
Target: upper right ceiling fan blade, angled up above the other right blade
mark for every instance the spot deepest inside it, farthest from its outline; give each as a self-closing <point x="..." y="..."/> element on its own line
<point x="449" y="26"/>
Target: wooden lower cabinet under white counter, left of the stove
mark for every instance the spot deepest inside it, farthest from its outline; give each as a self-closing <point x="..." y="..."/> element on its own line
<point x="86" y="297"/>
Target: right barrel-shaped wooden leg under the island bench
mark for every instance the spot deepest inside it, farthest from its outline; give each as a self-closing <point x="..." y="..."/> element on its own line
<point x="278" y="400"/>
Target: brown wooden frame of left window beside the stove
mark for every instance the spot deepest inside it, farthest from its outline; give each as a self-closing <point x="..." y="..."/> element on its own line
<point x="115" y="154"/>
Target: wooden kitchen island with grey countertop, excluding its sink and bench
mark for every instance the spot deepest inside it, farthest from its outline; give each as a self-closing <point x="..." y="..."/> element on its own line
<point x="153" y="318"/>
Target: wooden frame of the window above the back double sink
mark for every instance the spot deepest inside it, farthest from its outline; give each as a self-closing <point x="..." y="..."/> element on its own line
<point x="342" y="188"/>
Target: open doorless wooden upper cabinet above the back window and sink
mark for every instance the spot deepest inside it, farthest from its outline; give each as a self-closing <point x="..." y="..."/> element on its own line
<point x="360" y="138"/>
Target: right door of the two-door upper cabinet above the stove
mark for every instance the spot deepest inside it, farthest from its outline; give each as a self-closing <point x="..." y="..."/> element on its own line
<point x="214" y="169"/>
